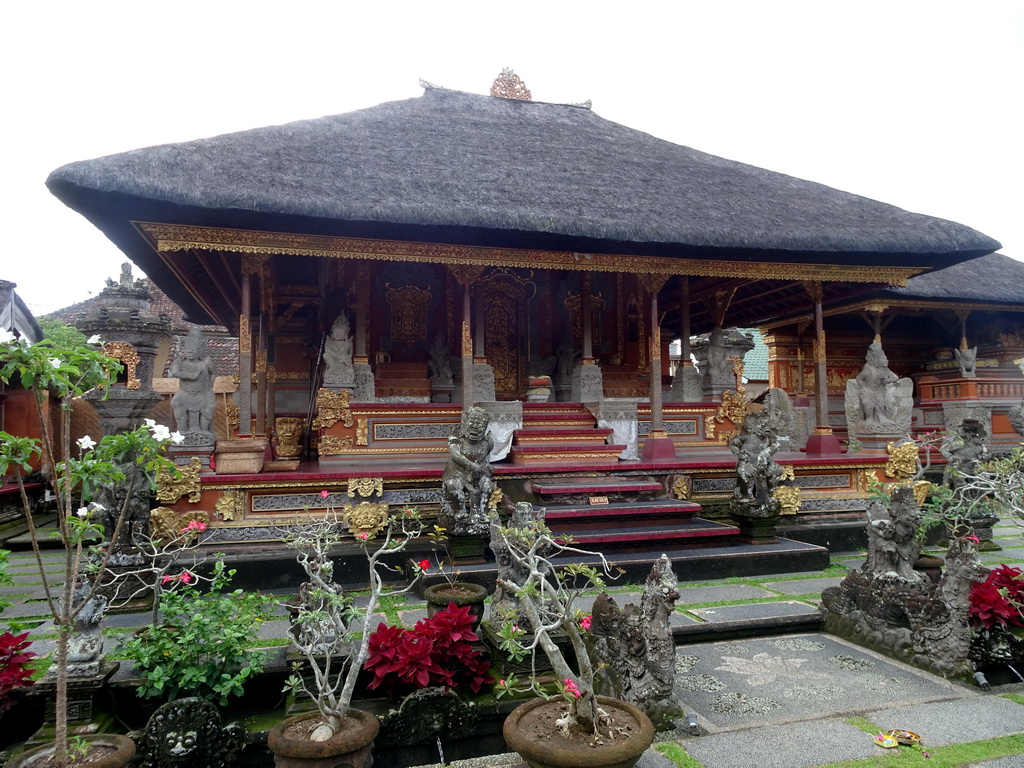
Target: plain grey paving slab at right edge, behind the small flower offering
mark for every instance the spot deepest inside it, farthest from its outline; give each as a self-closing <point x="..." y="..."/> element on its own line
<point x="942" y="723"/>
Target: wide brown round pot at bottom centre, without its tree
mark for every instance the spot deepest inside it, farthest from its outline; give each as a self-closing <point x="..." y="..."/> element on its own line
<point x="621" y="753"/>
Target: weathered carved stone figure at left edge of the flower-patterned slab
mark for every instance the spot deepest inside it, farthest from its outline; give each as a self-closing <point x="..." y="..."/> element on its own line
<point x="634" y="650"/>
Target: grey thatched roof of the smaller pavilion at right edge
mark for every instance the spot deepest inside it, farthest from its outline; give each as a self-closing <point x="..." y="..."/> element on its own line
<point x="995" y="279"/>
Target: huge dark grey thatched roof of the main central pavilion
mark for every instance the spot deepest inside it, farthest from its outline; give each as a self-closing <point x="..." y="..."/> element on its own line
<point x="456" y="167"/>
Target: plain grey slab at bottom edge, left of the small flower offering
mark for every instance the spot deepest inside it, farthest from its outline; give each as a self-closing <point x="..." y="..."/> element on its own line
<point x="784" y="746"/>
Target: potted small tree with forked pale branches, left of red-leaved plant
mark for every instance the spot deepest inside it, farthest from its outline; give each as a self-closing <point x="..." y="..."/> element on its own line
<point x="335" y="734"/>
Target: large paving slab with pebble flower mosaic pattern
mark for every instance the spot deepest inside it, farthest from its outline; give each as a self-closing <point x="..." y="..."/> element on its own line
<point x="767" y="681"/>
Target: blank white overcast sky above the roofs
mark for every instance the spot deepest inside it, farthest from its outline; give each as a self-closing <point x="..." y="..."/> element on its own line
<point x="918" y="104"/>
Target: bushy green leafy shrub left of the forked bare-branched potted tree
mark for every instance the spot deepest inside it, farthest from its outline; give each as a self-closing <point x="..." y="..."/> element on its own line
<point x="203" y="647"/>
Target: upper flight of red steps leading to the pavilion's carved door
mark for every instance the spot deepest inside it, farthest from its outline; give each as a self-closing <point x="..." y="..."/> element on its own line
<point x="562" y="434"/>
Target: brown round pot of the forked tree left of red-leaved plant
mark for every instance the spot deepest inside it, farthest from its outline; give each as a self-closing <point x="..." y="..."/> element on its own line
<point x="353" y="746"/>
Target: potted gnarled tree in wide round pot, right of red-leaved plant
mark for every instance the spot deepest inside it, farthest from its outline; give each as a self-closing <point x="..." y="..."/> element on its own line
<point x="574" y="728"/>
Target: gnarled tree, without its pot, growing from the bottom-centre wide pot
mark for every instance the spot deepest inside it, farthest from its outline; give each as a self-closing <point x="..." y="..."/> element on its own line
<point x="545" y="596"/>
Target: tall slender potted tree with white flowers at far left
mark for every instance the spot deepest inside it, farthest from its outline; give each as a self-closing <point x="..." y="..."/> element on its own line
<point x="59" y="375"/>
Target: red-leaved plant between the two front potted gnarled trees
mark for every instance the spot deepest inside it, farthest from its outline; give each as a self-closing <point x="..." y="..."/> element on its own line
<point x="438" y="652"/>
